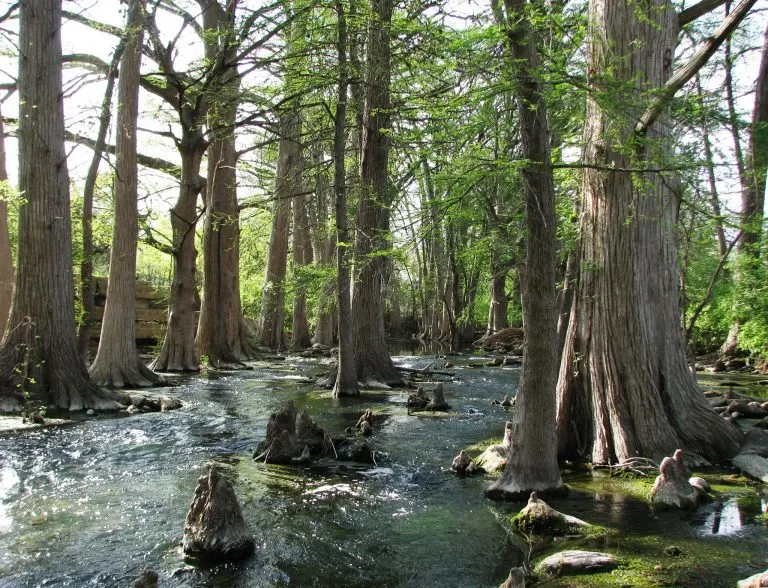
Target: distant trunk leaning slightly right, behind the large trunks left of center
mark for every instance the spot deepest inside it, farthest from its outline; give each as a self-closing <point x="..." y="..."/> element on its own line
<point x="272" y="319"/>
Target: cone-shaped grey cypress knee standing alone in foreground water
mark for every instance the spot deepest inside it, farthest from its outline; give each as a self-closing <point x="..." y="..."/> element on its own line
<point x="215" y="528"/>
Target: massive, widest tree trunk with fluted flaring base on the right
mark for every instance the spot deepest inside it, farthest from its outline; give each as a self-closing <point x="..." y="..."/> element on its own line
<point x="625" y="388"/>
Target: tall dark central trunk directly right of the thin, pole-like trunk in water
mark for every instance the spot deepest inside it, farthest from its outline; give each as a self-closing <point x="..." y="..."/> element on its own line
<point x="372" y="360"/>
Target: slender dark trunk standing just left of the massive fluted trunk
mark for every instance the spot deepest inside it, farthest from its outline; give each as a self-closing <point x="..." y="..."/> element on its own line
<point x="532" y="455"/>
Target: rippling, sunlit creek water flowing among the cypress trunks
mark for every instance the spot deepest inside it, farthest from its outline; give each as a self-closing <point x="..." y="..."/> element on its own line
<point x="94" y="503"/>
